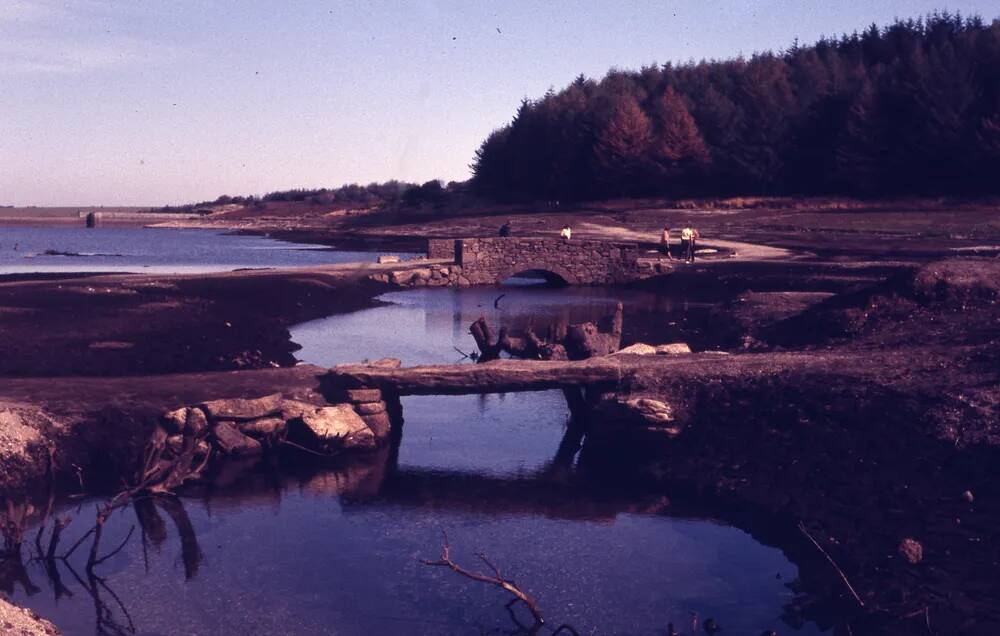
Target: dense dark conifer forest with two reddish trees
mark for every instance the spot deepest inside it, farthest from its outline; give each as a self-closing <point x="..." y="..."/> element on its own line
<point x="911" y="108"/>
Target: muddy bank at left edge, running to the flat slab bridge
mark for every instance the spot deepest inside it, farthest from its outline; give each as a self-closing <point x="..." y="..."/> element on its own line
<point x="96" y="427"/>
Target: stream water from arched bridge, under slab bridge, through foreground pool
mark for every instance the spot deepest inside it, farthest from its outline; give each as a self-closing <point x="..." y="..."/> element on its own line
<point x="309" y="550"/>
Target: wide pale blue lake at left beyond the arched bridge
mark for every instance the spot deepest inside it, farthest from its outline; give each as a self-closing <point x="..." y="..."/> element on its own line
<point x="25" y="250"/>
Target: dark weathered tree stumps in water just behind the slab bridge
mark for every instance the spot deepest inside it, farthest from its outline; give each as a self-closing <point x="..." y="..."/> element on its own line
<point x="575" y="342"/>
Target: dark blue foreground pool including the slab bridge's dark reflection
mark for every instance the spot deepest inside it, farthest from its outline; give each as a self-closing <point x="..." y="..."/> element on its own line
<point x="366" y="507"/>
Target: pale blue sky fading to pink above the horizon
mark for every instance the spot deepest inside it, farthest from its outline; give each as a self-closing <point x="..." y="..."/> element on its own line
<point x="148" y="103"/>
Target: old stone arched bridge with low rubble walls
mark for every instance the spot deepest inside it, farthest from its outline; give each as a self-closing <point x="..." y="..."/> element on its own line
<point x="487" y="261"/>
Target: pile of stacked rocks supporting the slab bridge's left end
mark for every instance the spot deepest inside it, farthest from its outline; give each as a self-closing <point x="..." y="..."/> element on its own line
<point x="242" y="427"/>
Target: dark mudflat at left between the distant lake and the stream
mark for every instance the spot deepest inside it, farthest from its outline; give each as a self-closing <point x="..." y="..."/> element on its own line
<point x="139" y="325"/>
